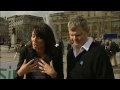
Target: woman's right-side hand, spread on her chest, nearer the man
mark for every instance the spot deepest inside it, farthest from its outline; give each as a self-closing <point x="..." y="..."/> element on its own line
<point x="48" y="69"/>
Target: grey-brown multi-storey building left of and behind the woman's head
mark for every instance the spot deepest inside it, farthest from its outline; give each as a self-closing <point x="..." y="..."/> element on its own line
<point x="23" y="25"/>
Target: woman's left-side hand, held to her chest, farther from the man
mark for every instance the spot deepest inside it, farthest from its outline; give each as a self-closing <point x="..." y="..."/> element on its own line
<point x="26" y="67"/>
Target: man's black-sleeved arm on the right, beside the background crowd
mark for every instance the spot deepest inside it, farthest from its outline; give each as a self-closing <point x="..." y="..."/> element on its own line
<point x="103" y="67"/>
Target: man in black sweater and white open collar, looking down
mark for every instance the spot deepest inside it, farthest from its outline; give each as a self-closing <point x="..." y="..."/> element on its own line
<point x="86" y="59"/>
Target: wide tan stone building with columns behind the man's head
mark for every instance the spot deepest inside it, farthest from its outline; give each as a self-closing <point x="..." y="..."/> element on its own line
<point x="99" y="22"/>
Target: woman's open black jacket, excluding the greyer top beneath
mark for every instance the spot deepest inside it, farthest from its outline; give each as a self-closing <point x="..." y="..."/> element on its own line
<point x="29" y="54"/>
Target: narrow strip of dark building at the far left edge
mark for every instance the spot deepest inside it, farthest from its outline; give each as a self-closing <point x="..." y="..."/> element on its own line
<point x="3" y="30"/>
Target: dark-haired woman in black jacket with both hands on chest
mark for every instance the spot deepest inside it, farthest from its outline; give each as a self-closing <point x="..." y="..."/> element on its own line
<point x="40" y="59"/>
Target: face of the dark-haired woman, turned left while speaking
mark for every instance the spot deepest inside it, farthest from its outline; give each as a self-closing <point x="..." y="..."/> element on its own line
<point x="37" y="43"/>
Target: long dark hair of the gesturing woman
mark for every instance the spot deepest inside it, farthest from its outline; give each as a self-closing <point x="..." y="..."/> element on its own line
<point x="44" y="32"/>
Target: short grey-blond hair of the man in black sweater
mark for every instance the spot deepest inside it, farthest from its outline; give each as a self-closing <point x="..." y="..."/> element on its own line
<point x="77" y="21"/>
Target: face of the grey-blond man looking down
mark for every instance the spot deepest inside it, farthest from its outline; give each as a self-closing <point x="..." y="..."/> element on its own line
<point x="78" y="36"/>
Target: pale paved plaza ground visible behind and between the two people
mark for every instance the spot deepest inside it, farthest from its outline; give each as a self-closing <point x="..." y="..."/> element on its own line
<point x="7" y="56"/>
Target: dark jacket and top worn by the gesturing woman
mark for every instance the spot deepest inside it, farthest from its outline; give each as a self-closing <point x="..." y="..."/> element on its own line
<point x="29" y="54"/>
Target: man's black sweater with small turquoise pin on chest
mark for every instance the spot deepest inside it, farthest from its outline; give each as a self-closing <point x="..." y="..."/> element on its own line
<point x="92" y="64"/>
